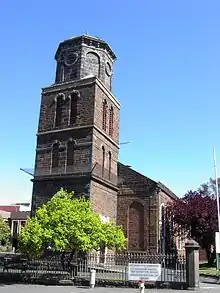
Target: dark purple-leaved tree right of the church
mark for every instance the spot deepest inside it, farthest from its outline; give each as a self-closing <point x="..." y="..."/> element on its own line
<point x="196" y="212"/>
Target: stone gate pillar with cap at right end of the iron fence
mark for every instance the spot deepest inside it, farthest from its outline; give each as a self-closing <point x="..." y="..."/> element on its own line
<point x="192" y="264"/>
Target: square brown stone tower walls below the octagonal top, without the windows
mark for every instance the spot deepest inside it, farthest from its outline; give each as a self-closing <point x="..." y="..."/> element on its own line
<point x="87" y="149"/>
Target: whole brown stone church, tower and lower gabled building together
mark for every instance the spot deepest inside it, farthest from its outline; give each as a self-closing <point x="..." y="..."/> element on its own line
<point x="78" y="146"/>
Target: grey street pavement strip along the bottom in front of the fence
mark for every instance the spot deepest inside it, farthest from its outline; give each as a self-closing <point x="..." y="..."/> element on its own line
<point x="204" y="288"/>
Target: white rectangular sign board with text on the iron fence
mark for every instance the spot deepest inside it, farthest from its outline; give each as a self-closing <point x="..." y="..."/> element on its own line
<point x="143" y="271"/>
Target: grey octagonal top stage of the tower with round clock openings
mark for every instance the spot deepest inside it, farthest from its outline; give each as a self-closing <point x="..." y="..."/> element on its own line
<point x="84" y="56"/>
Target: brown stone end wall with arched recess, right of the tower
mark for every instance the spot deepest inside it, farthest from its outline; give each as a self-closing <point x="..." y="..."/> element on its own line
<point x="137" y="202"/>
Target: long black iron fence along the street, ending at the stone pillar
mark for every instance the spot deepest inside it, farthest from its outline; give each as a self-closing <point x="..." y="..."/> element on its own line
<point x="110" y="268"/>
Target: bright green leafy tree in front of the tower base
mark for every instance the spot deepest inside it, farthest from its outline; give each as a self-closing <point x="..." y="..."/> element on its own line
<point x="66" y="223"/>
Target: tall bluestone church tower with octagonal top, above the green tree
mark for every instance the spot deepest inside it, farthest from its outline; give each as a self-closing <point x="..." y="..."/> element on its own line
<point x="78" y="132"/>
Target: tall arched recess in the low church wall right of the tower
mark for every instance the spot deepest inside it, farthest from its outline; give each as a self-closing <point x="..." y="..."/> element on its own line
<point x="136" y="226"/>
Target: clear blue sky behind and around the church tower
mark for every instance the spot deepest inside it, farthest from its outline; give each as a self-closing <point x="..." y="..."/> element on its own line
<point x="167" y="78"/>
